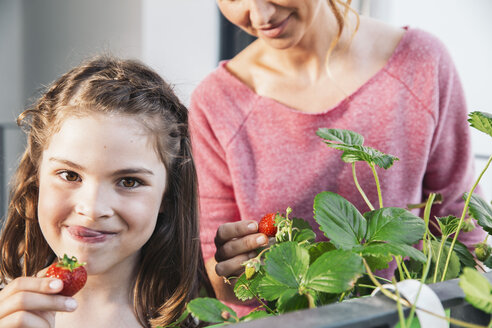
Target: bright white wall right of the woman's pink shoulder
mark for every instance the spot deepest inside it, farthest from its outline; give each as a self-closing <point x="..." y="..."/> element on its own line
<point x="466" y="29"/>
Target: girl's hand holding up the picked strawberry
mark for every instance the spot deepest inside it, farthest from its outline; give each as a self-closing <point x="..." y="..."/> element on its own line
<point x="32" y="302"/>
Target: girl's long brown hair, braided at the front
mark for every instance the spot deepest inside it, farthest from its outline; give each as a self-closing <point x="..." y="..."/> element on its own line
<point x="171" y="267"/>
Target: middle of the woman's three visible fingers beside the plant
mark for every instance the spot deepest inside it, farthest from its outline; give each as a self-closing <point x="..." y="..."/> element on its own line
<point x="239" y="246"/>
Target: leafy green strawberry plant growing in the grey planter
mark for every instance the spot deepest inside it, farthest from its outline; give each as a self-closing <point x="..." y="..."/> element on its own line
<point x="297" y="272"/>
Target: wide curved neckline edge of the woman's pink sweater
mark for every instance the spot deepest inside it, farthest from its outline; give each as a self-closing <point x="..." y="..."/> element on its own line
<point x="245" y="89"/>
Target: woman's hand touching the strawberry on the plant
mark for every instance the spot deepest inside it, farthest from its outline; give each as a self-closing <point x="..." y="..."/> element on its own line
<point x="236" y="243"/>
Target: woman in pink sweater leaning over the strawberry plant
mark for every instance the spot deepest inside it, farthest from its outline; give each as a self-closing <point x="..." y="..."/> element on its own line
<point x="317" y="64"/>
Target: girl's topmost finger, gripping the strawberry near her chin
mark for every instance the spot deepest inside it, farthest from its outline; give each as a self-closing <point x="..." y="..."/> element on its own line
<point x="32" y="284"/>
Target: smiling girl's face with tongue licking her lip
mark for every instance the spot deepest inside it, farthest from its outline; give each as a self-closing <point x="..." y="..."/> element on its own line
<point x="101" y="184"/>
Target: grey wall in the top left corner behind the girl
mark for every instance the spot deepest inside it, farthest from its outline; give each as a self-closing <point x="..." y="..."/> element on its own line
<point x="41" y="39"/>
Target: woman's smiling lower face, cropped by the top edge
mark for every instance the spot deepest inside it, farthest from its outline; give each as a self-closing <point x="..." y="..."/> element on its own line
<point x="280" y="23"/>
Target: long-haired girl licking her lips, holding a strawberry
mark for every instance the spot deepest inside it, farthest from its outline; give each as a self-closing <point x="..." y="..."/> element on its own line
<point x="107" y="177"/>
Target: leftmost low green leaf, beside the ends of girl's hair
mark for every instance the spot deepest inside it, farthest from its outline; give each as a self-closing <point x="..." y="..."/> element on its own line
<point x="210" y="310"/>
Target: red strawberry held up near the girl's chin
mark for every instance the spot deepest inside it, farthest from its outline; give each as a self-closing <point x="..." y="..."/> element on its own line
<point x="71" y="272"/>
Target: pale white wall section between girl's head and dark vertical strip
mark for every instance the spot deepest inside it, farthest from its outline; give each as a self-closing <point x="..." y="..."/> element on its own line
<point x="180" y="39"/>
